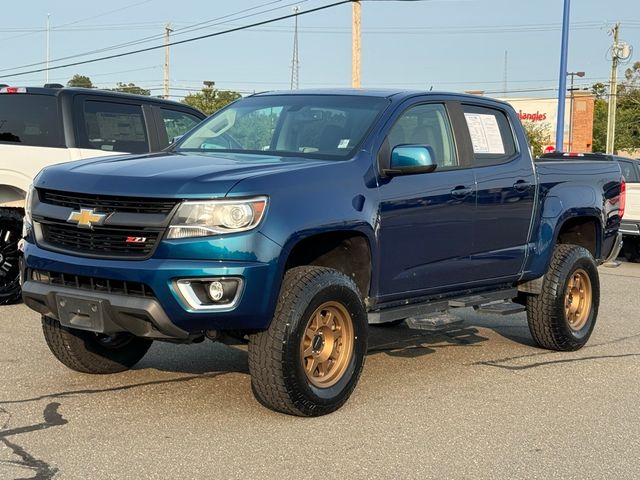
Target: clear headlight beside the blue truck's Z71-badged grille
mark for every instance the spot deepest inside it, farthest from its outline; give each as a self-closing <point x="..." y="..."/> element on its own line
<point x="215" y="217"/>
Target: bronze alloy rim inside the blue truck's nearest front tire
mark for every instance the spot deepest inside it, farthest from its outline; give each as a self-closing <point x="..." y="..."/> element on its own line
<point x="327" y="344"/>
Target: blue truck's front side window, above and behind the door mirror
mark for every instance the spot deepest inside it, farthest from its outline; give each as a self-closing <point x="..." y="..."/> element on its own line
<point x="426" y="125"/>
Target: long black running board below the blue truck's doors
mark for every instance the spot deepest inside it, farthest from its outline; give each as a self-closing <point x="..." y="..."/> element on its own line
<point x="422" y="310"/>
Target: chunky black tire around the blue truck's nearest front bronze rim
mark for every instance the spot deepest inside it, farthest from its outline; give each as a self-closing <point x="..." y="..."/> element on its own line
<point x="278" y="378"/>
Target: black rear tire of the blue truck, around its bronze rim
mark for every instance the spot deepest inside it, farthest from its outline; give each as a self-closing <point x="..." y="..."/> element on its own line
<point x="546" y="313"/>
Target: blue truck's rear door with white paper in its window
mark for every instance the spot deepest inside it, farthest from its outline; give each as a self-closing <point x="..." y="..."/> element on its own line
<point x="505" y="181"/>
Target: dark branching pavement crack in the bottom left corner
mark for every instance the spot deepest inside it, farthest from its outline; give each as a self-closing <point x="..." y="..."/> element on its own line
<point x="43" y="471"/>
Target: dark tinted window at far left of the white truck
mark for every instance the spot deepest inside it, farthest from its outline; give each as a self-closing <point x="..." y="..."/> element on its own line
<point x="30" y="120"/>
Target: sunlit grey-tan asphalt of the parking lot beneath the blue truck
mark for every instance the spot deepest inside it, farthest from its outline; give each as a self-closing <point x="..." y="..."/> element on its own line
<point x="477" y="402"/>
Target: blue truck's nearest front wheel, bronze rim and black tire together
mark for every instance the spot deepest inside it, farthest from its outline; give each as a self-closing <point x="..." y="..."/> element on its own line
<point x="309" y="360"/>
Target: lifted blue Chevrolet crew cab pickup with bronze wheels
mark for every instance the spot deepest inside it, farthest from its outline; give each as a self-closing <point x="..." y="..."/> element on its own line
<point x="292" y="221"/>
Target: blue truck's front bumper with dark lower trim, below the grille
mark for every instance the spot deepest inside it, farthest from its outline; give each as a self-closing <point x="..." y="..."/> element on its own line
<point x="164" y="313"/>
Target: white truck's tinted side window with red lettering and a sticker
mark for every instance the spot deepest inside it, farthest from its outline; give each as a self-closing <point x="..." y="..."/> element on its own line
<point x="117" y="127"/>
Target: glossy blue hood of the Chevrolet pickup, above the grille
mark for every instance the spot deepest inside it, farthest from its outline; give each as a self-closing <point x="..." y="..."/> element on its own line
<point x="166" y="174"/>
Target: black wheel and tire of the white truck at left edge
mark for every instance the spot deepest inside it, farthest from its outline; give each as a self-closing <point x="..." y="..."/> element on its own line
<point x="10" y="235"/>
